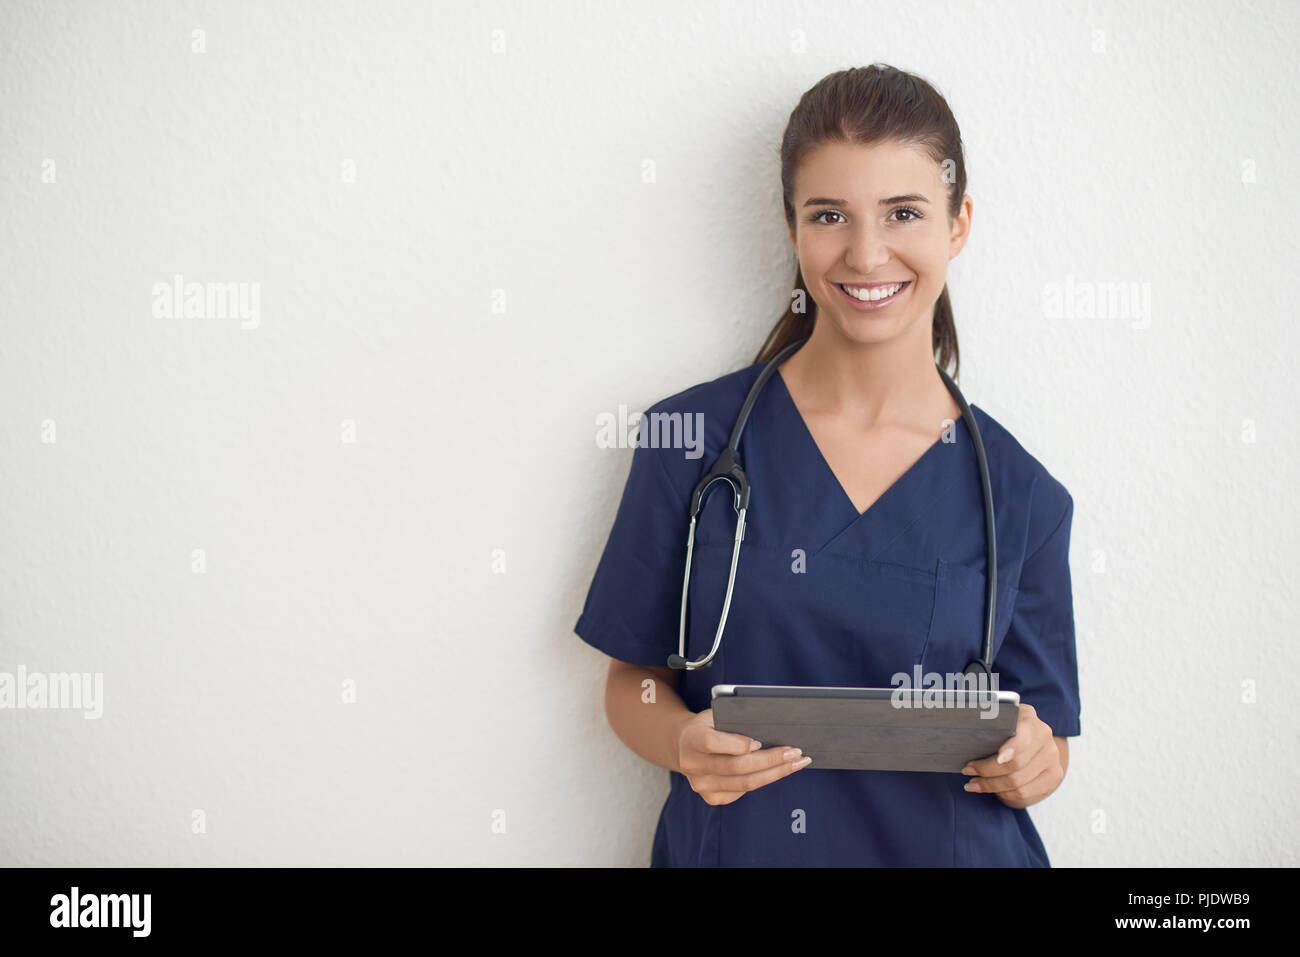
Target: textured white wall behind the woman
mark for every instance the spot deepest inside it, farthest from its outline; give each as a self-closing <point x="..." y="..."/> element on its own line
<point x="500" y="154"/>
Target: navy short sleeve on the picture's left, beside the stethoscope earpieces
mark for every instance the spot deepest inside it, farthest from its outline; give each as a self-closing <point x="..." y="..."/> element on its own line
<point x="634" y="608"/>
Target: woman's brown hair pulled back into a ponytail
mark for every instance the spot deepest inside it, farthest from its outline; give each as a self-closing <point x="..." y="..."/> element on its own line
<point x="866" y="106"/>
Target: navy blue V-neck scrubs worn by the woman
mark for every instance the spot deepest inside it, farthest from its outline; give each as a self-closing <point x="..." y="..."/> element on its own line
<point x="826" y="596"/>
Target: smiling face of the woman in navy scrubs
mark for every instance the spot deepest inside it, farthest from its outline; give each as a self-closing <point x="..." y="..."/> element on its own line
<point x="873" y="216"/>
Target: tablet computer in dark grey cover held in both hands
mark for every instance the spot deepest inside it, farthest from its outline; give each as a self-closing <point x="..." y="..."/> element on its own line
<point x="872" y="729"/>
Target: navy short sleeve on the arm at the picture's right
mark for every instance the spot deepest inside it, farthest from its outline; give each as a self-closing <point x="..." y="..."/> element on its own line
<point x="1038" y="656"/>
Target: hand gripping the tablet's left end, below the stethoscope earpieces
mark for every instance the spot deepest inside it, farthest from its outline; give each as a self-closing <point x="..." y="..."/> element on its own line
<point x="722" y="767"/>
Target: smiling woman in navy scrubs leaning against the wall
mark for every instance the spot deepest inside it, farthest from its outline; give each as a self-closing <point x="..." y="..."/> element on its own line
<point x="864" y="551"/>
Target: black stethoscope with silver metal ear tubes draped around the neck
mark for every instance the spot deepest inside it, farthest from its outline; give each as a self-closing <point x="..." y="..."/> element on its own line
<point x="727" y="469"/>
